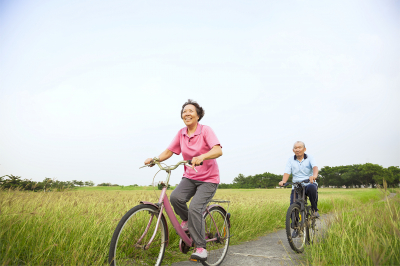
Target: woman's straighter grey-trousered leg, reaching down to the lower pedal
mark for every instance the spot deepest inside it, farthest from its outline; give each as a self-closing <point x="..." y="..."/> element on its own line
<point x="205" y="192"/>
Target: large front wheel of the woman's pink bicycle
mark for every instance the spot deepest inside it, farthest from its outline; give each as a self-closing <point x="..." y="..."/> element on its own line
<point x="129" y="244"/>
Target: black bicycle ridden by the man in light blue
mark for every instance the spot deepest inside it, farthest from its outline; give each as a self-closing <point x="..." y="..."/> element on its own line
<point x="300" y="221"/>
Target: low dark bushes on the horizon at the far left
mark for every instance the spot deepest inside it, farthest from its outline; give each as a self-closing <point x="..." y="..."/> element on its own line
<point x="16" y="182"/>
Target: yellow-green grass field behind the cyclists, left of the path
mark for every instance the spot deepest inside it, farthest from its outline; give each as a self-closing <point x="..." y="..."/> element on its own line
<point x="75" y="227"/>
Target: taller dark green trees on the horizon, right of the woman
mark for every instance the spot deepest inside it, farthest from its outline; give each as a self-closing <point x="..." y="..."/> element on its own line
<point x="356" y="175"/>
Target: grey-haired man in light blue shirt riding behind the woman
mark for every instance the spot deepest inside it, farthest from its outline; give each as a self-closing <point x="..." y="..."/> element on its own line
<point x="302" y="166"/>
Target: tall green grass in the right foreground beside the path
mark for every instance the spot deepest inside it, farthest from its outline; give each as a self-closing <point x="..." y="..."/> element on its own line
<point x="366" y="235"/>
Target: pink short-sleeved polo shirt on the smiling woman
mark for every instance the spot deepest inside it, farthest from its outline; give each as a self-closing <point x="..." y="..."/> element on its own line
<point x="199" y="143"/>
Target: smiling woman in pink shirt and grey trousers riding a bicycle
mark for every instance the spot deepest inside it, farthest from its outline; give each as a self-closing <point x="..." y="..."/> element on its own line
<point x="198" y="143"/>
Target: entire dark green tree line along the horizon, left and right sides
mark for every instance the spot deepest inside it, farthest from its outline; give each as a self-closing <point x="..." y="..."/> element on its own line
<point x="356" y="175"/>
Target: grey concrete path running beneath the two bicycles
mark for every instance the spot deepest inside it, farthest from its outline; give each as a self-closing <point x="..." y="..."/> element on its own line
<point x="272" y="249"/>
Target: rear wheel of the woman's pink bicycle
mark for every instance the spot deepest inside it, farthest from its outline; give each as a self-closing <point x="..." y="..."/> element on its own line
<point x="217" y="249"/>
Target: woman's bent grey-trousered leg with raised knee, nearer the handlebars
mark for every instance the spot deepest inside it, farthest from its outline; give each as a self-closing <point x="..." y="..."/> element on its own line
<point x="181" y="195"/>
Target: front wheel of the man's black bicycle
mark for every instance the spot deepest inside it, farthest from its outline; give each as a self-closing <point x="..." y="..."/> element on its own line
<point x="293" y="217"/>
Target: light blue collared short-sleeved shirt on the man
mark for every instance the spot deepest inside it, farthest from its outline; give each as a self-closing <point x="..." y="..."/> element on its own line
<point x="301" y="170"/>
